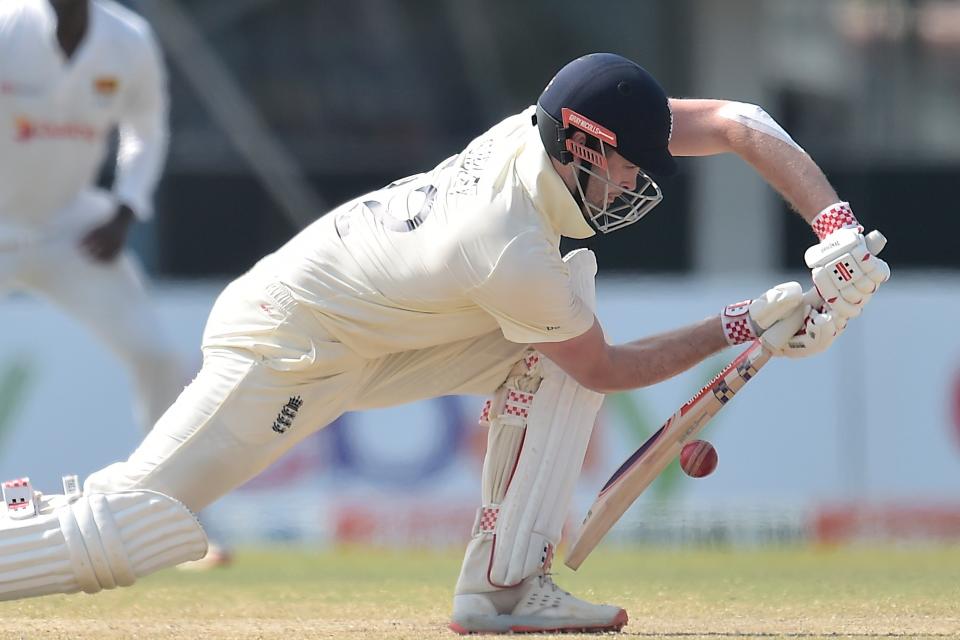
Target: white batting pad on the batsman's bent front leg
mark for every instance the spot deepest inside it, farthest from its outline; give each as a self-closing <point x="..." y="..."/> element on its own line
<point x="559" y="422"/>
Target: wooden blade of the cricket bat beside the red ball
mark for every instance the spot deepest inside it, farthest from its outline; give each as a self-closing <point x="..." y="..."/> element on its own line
<point x="646" y="463"/>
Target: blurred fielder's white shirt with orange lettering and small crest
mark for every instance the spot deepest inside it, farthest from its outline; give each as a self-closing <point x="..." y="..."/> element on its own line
<point x="56" y="114"/>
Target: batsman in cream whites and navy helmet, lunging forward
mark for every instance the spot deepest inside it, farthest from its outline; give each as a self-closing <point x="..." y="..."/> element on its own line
<point x="451" y="282"/>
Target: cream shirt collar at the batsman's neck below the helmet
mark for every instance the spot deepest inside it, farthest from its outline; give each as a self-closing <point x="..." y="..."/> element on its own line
<point x="550" y="195"/>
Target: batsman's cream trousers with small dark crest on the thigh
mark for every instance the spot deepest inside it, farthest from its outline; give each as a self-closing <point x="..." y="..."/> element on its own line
<point x="271" y="376"/>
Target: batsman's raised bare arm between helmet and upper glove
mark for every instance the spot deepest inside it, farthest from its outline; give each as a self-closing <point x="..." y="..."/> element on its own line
<point x="711" y="127"/>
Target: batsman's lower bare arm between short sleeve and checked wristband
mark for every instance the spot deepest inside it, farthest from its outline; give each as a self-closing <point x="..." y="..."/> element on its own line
<point x="609" y="368"/>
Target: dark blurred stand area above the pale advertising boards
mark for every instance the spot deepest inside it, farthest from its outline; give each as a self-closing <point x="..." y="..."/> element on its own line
<point x="330" y="99"/>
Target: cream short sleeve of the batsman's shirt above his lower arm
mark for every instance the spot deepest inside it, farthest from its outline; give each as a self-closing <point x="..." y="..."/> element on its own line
<point x="530" y="294"/>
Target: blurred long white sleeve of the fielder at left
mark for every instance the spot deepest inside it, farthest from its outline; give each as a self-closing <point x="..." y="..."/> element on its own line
<point x="143" y="129"/>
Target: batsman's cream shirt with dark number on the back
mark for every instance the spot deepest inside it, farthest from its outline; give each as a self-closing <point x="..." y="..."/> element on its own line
<point x="442" y="256"/>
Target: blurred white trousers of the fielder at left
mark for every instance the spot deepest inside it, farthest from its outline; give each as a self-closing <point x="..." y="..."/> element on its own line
<point x="109" y="299"/>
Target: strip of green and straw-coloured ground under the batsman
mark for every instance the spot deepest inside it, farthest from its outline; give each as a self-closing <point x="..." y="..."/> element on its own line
<point x="362" y="593"/>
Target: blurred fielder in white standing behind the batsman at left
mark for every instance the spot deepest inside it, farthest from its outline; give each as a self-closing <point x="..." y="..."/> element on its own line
<point x="72" y="72"/>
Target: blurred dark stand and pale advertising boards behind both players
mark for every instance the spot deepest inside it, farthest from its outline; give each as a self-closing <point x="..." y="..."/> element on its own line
<point x="282" y="109"/>
